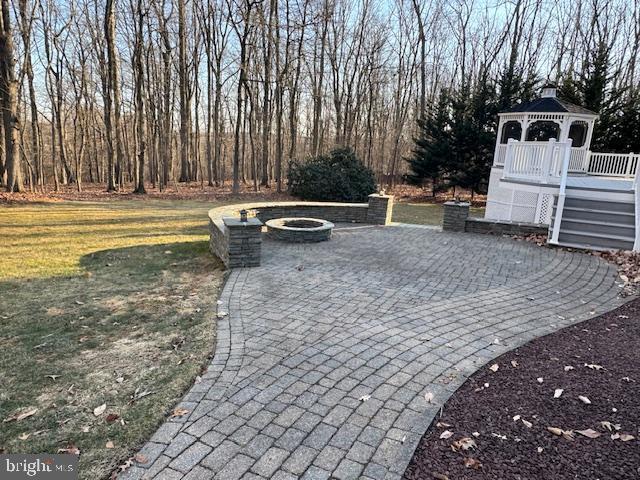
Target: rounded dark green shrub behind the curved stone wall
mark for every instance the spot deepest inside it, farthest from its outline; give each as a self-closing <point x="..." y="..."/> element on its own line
<point x="338" y="177"/>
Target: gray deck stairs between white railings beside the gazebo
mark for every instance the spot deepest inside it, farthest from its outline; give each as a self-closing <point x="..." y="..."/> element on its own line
<point x="596" y="224"/>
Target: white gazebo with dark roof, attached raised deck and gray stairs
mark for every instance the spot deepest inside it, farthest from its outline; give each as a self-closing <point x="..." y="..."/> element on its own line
<point x="543" y="157"/>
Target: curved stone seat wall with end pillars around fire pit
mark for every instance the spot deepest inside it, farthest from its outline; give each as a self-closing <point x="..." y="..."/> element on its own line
<point x="239" y="244"/>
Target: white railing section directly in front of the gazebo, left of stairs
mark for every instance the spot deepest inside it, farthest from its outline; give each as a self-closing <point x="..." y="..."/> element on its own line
<point x="539" y="162"/>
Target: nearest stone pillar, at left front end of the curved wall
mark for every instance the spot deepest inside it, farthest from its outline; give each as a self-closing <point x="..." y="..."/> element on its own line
<point x="244" y="242"/>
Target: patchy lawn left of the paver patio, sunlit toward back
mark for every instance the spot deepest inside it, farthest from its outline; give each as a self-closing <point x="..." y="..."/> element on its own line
<point x="100" y="301"/>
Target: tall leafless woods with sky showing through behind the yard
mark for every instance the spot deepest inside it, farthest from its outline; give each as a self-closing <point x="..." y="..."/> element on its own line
<point x="139" y="93"/>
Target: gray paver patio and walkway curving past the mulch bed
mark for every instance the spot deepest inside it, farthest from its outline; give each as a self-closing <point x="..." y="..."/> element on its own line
<point x="322" y="365"/>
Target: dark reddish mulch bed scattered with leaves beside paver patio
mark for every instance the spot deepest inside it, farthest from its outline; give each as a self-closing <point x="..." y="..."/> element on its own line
<point x="506" y="424"/>
